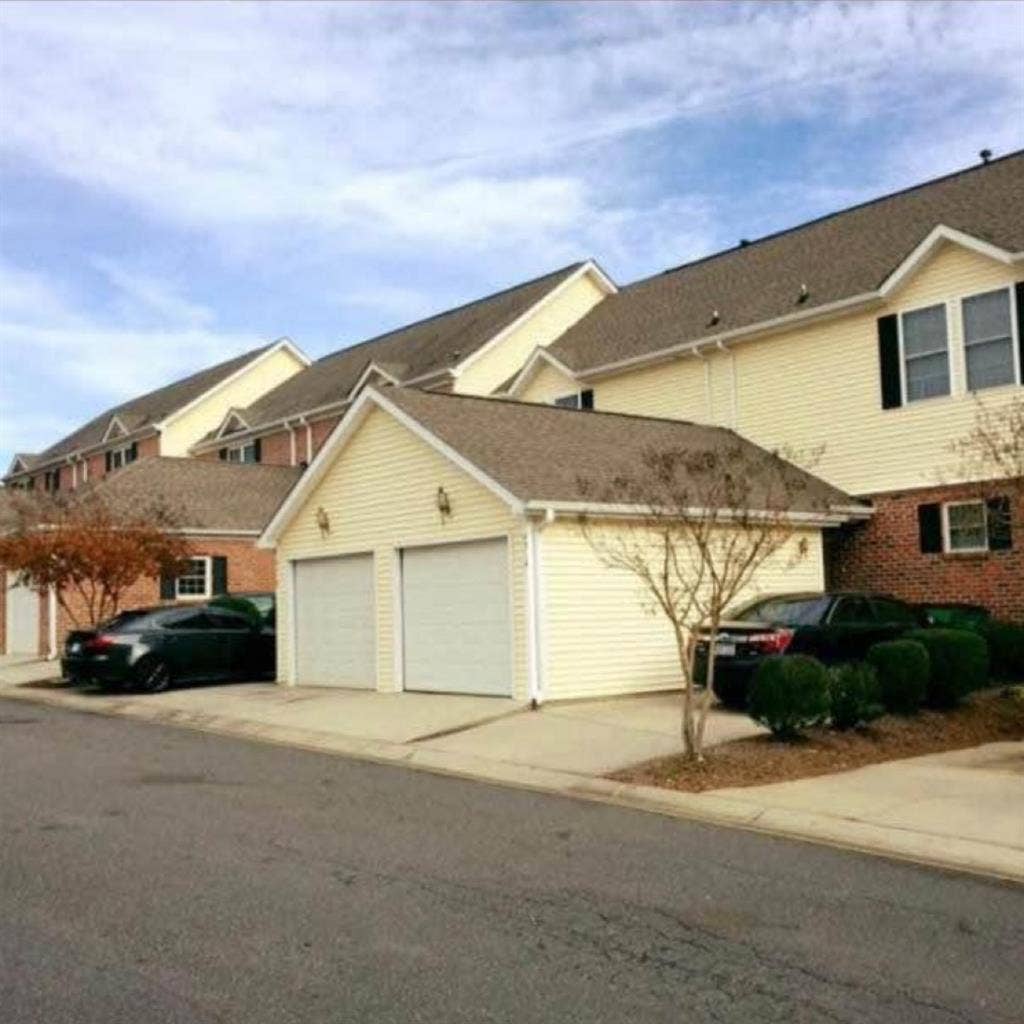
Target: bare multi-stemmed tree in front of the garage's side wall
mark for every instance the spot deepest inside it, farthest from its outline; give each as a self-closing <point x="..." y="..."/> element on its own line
<point x="695" y="527"/>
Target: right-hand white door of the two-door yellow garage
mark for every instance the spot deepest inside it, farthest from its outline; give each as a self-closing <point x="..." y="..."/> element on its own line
<point x="456" y="619"/>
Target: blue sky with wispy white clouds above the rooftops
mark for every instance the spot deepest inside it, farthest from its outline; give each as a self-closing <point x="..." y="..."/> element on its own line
<point x="180" y="183"/>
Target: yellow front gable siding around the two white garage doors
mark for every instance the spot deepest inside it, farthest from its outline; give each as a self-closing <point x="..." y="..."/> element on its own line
<point x="380" y="496"/>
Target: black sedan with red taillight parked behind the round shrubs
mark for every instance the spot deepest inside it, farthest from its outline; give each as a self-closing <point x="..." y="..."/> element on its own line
<point x="835" y="628"/>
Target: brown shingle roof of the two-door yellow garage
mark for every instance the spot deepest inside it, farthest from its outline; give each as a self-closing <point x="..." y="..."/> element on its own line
<point x="542" y="453"/>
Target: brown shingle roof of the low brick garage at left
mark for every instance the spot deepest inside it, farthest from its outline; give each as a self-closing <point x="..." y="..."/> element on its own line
<point x="201" y="494"/>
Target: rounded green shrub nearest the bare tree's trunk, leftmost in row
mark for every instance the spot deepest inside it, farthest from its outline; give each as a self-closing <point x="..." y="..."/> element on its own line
<point x="790" y="694"/>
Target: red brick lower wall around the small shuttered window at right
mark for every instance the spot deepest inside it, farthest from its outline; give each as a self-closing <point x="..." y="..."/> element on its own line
<point x="885" y="556"/>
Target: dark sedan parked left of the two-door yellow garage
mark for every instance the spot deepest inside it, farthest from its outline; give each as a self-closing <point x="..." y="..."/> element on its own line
<point x="151" y="650"/>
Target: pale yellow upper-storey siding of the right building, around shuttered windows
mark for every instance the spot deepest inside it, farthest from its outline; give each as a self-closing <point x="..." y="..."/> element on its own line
<point x="821" y="387"/>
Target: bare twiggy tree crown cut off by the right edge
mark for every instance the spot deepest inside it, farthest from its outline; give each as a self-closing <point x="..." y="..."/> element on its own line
<point x="993" y="453"/>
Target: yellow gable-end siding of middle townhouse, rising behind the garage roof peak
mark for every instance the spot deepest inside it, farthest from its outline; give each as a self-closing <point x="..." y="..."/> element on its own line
<point x="492" y="367"/>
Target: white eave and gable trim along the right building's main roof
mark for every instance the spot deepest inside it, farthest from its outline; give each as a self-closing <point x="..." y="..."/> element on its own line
<point x="866" y="300"/>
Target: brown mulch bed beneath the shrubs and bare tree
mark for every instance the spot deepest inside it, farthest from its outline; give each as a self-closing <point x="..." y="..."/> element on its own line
<point x="990" y="716"/>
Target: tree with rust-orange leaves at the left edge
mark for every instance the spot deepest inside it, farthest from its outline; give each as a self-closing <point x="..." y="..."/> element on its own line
<point x="90" y="548"/>
